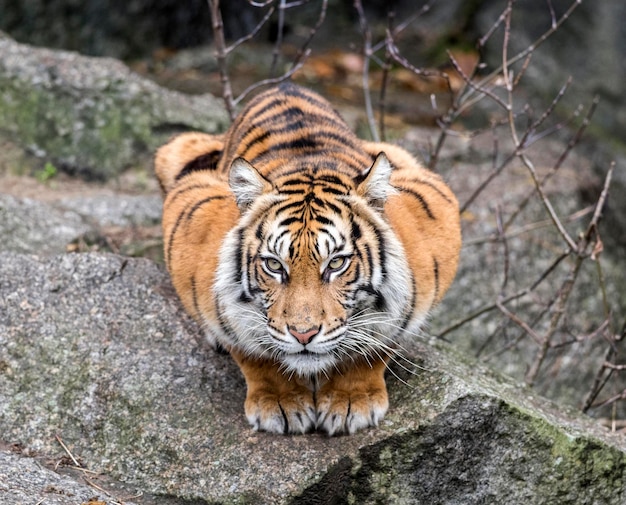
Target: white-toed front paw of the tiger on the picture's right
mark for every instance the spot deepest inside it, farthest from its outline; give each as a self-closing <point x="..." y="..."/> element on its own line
<point x="341" y="412"/>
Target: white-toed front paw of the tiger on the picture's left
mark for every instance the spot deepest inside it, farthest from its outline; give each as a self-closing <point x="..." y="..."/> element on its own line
<point x="284" y="413"/>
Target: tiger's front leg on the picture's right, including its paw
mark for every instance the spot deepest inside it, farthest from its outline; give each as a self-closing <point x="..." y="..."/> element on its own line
<point x="353" y="398"/>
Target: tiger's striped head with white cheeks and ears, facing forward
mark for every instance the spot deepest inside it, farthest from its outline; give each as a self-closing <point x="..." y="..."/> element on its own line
<point x="313" y="274"/>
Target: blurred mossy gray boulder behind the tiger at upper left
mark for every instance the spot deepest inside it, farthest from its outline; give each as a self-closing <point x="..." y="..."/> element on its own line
<point x="91" y="116"/>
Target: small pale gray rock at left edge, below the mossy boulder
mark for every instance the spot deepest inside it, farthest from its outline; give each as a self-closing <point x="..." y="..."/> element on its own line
<point x="29" y="226"/>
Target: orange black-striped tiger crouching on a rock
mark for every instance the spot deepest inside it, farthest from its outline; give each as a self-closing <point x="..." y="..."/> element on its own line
<point x="306" y="253"/>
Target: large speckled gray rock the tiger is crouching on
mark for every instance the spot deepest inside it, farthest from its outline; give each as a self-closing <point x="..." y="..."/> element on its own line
<point x="95" y="348"/>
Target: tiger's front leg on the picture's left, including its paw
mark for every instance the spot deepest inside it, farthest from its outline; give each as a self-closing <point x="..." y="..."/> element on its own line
<point x="275" y="402"/>
